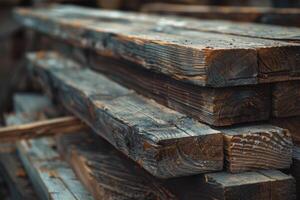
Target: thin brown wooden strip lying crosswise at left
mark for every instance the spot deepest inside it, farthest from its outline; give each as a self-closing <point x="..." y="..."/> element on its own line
<point x="62" y="125"/>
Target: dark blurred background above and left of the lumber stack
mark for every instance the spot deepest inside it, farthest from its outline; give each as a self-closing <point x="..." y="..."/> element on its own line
<point x="15" y="41"/>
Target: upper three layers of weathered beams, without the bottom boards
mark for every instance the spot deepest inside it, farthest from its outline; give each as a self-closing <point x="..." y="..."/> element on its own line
<point x="173" y="94"/>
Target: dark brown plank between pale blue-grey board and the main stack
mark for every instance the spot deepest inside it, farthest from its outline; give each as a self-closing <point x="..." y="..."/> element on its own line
<point x="106" y="173"/>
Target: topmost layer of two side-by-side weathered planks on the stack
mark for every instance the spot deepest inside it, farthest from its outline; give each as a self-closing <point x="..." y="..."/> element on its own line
<point x="206" y="59"/>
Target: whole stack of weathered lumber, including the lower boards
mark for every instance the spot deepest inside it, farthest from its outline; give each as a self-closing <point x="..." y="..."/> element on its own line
<point x="176" y="108"/>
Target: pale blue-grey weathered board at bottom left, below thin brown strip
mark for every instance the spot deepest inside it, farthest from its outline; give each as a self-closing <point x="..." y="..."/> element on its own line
<point x="51" y="177"/>
